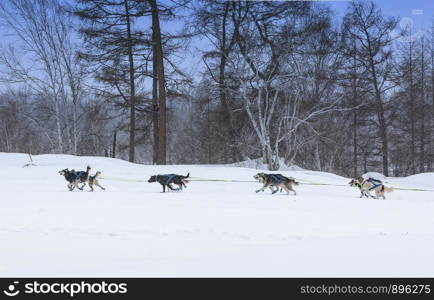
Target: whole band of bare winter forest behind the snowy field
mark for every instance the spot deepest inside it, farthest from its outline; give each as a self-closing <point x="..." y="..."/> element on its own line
<point x="284" y="82"/>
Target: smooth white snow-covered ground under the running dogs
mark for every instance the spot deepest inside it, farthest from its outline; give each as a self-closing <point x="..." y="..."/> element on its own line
<point x="209" y="229"/>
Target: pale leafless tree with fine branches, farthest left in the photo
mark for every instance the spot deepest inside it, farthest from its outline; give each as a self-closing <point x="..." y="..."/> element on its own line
<point x="45" y="32"/>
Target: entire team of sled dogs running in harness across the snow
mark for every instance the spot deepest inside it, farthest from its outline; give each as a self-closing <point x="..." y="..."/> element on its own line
<point x="274" y="182"/>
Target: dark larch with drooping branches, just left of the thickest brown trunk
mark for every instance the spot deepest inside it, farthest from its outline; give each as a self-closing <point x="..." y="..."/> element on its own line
<point x="115" y="48"/>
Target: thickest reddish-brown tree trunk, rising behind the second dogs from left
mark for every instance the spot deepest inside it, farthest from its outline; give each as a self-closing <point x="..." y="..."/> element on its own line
<point x="158" y="47"/>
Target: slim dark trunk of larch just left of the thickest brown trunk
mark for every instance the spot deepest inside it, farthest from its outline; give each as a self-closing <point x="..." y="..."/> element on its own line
<point x="132" y="85"/>
